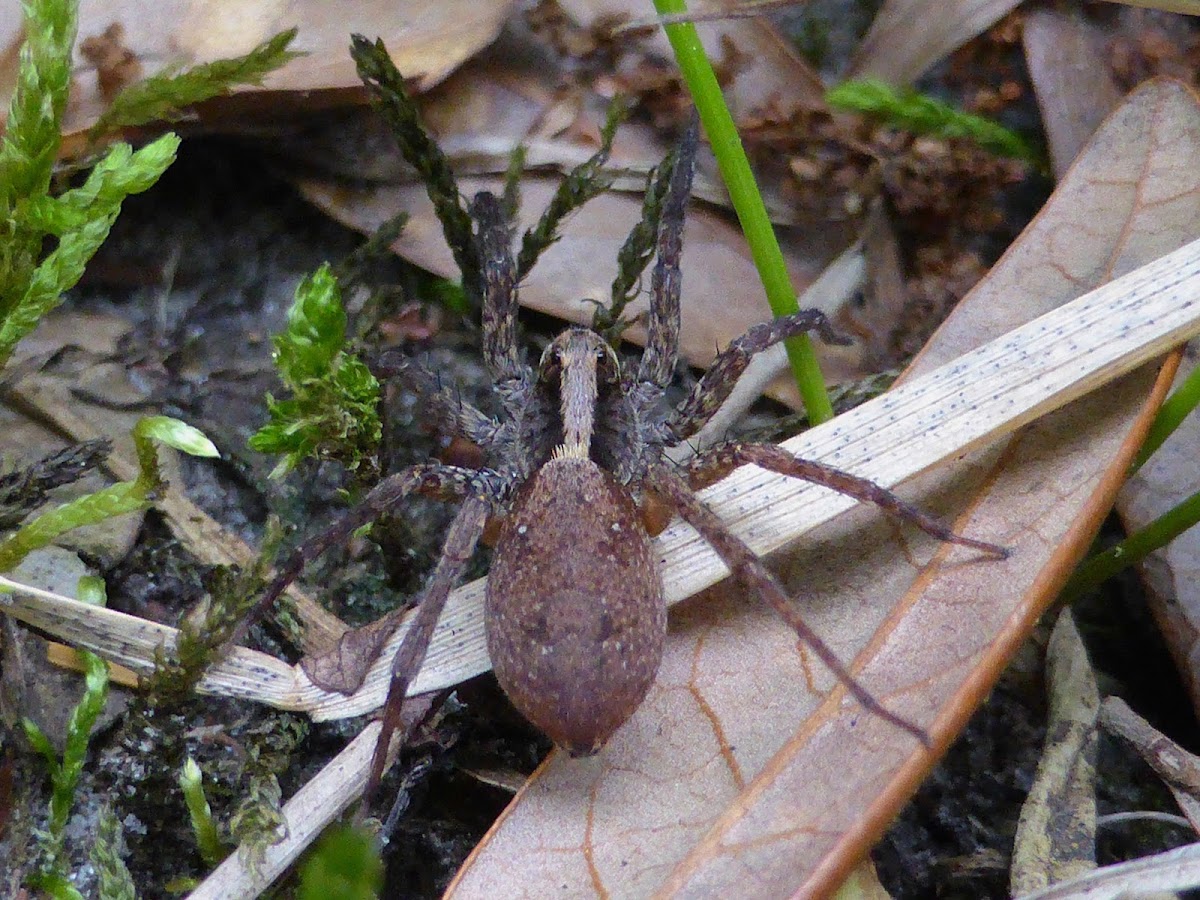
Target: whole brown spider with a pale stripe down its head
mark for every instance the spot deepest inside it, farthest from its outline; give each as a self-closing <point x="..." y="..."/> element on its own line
<point x="575" y="613"/>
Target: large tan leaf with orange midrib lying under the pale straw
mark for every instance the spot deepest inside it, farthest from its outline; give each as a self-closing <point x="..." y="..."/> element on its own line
<point x="747" y="772"/>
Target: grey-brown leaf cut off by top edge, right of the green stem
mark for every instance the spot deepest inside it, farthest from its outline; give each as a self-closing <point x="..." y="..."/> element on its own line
<point x="909" y="37"/>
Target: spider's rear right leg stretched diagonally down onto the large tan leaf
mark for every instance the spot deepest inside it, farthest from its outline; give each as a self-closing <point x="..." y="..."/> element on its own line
<point x="749" y="569"/>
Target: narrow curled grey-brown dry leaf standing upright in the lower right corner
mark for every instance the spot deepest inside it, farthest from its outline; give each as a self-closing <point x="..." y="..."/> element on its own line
<point x="1057" y="833"/>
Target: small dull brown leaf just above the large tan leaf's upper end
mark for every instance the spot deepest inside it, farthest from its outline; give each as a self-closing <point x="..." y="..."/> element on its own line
<point x="1075" y="94"/>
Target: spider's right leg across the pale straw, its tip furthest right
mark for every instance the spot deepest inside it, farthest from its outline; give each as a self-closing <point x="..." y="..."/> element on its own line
<point x="712" y="466"/>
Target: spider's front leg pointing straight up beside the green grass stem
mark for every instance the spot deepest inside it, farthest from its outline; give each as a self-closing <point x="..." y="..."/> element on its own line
<point x="662" y="351"/>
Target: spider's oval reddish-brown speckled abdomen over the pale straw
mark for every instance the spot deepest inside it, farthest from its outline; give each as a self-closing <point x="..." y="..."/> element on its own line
<point x="575" y="613"/>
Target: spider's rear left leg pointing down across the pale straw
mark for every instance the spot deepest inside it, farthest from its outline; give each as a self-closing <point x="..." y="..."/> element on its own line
<point x="457" y="553"/>
